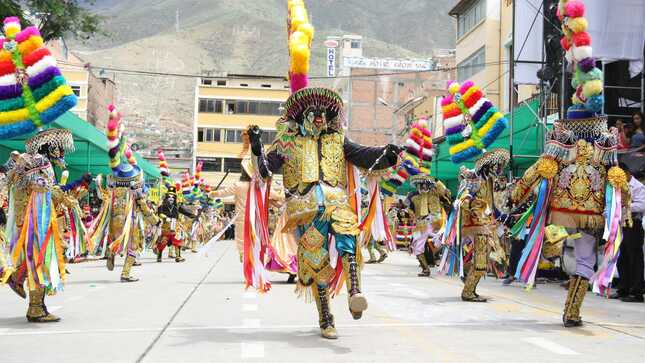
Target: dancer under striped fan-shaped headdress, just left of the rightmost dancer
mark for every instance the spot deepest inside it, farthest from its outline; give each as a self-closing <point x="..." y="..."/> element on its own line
<point x="472" y="124"/>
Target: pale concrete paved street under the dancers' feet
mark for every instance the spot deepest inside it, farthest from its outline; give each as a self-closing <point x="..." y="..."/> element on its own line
<point x="199" y="312"/>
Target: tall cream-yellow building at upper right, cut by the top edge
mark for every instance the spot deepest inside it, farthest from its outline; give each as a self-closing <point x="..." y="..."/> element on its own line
<point x="484" y="48"/>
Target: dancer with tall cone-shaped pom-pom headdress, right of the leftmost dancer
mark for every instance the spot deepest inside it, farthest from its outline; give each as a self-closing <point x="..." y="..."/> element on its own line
<point x="125" y="210"/>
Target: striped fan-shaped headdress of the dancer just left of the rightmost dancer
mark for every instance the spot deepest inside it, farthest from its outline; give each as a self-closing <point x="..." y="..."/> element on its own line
<point x="471" y="121"/>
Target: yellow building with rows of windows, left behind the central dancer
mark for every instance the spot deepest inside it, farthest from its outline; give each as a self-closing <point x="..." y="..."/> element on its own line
<point x="224" y="107"/>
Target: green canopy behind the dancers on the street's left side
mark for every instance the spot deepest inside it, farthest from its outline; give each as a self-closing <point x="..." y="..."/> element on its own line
<point x="91" y="152"/>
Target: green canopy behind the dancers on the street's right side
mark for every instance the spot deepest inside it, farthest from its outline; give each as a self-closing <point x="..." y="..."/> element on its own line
<point x="528" y="142"/>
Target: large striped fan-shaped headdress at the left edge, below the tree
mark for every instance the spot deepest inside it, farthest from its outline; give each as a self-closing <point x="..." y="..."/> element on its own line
<point x="33" y="92"/>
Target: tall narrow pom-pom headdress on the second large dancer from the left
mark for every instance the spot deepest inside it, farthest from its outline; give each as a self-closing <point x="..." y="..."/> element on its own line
<point x="124" y="173"/>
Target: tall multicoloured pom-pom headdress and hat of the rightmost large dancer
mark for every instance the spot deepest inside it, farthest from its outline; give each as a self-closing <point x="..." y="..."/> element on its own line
<point x="583" y="117"/>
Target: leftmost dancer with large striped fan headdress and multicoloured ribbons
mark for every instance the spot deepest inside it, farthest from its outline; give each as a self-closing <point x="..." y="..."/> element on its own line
<point x="33" y="94"/>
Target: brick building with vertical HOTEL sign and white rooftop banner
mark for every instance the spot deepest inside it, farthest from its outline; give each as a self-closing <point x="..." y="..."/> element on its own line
<point x="379" y="93"/>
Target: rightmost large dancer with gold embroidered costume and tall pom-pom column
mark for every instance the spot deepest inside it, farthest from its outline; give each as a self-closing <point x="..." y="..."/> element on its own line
<point x="577" y="181"/>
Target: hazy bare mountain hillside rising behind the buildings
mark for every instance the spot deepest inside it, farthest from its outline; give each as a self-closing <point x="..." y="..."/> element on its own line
<point x="243" y="36"/>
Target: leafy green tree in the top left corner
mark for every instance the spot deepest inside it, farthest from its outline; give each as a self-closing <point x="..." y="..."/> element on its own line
<point x="55" y="18"/>
